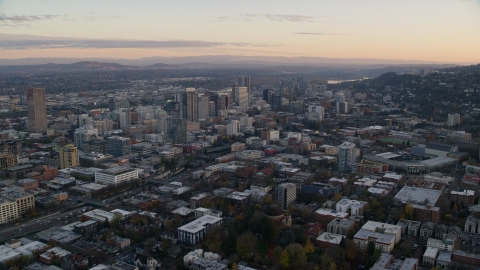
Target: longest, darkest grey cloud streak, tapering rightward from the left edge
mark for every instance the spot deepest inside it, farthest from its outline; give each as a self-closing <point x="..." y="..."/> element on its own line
<point x="21" y="42"/>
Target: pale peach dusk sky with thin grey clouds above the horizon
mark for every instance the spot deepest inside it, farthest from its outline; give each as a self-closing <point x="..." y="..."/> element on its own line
<point x="442" y="31"/>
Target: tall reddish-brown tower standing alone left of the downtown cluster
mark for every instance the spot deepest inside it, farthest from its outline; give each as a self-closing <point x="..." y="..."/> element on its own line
<point x="36" y="109"/>
